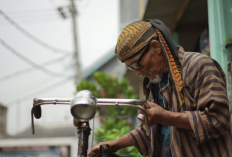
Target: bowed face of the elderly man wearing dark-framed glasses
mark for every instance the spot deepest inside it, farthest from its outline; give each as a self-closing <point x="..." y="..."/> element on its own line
<point x="152" y="62"/>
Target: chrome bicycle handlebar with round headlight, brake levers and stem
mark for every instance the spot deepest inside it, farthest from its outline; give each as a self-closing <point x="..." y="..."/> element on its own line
<point x="83" y="109"/>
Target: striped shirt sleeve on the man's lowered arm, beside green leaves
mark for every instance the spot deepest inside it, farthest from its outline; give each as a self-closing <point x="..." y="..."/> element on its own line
<point x="140" y="140"/>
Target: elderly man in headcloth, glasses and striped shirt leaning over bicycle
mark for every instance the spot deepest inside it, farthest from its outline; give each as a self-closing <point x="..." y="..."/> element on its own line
<point x="188" y="113"/>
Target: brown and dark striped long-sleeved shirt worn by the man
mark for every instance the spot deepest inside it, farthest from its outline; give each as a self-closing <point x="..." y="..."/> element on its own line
<point x="207" y="107"/>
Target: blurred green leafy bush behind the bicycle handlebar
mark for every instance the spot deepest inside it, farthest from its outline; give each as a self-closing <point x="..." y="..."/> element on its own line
<point x="116" y="121"/>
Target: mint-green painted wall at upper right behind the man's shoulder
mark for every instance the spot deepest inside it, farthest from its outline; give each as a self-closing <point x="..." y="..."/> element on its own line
<point x="220" y="26"/>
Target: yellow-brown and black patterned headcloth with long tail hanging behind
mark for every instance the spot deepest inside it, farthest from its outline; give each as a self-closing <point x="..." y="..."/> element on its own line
<point x="137" y="35"/>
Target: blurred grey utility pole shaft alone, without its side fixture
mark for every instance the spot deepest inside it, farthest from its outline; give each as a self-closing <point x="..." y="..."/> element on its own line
<point x="74" y="13"/>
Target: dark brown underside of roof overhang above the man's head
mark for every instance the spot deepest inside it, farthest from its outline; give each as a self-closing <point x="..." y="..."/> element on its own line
<point x="187" y="17"/>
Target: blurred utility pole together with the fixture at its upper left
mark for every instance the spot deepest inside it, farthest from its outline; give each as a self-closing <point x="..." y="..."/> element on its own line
<point x="72" y="9"/>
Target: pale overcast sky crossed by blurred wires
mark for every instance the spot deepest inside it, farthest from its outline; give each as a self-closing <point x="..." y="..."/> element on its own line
<point x="30" y="30"/>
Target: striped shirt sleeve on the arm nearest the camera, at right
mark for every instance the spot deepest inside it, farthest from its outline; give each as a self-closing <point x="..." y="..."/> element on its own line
<point x="206" y="83"/>
